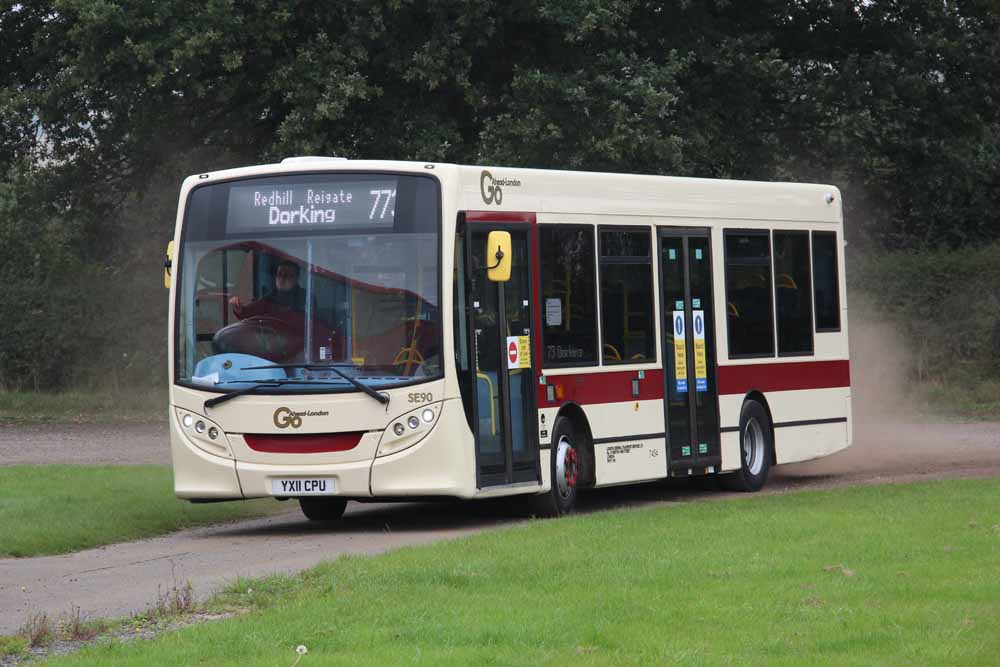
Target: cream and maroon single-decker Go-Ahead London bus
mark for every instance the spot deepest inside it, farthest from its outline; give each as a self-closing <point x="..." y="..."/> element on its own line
<point x="364" y="330"/>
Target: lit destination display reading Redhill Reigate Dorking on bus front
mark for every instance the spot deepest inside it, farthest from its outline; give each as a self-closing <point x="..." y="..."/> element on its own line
<point x="292" y="206"/>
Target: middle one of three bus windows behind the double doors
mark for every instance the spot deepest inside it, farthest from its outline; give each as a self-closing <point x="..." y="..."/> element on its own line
<point x="793" y="292"/>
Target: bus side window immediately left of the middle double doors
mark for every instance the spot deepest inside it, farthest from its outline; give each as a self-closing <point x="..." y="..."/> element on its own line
<point x="627" y="295"/>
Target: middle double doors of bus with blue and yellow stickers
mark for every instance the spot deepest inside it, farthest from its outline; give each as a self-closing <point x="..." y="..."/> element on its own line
<point x="689" y="350"/>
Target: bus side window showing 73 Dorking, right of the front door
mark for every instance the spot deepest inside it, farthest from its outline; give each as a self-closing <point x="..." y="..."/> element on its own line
<point x="569" y="295"/>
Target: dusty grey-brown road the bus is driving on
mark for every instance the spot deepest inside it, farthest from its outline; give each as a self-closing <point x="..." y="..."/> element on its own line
<point x="121" y="579"/>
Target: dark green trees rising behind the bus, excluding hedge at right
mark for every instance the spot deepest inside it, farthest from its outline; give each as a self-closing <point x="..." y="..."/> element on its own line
<point x="105" y="105"/>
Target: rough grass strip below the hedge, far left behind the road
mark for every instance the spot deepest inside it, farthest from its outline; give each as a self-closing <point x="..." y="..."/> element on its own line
<point x="106" y="406"/>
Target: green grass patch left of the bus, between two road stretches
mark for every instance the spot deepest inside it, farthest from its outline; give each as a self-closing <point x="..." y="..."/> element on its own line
<point x="54" y="509"/>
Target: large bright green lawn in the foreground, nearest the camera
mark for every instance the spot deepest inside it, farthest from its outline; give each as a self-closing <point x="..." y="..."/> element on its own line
<point x="886" y="575"/>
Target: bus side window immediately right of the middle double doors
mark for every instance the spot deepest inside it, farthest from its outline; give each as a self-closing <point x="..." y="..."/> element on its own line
<point x="748" y="294"/>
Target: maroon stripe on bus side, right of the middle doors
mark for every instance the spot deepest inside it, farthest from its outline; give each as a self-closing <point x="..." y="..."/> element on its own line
<point x="784" y="376"/>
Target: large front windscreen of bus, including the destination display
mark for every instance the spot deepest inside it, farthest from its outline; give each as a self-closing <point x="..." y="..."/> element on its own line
<point x="282" y="275"/>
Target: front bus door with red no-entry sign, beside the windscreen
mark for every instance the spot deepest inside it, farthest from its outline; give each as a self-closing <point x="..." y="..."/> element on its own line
<point x="501" y="345"/>
